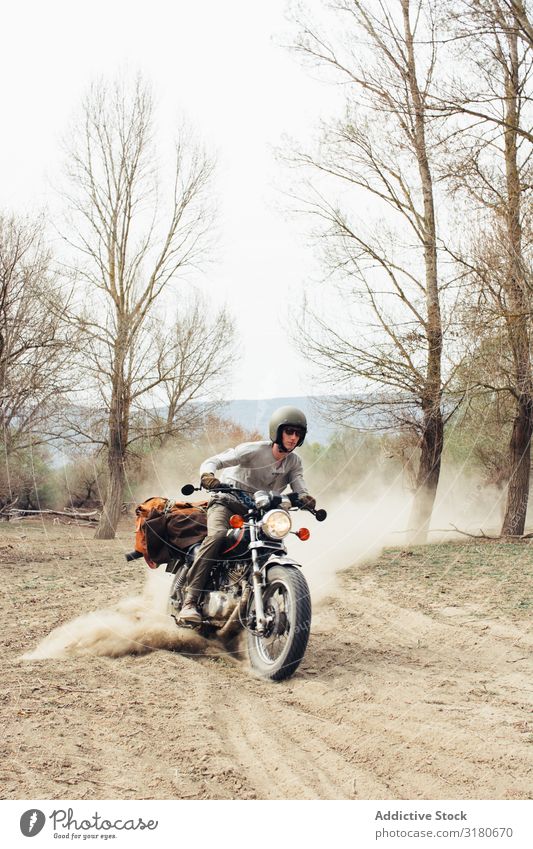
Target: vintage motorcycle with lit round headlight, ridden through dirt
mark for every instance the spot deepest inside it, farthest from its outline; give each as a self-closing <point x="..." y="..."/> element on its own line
<point x="255" y="586"/>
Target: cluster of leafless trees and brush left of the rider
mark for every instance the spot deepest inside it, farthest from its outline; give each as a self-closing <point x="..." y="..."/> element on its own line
<point x="103" y="350"/>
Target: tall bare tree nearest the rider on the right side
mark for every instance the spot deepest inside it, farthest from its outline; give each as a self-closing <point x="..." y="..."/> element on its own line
<point x="383" y="150"/>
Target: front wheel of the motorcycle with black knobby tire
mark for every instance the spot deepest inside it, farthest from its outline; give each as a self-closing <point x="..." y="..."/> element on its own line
<point x="287" y="604"/>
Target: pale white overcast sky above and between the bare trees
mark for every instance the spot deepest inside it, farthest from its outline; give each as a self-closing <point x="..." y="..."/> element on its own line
<point x="219" y="64"/>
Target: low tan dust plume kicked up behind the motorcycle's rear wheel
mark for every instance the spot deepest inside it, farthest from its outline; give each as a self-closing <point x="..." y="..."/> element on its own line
<point x="135" y="625"/>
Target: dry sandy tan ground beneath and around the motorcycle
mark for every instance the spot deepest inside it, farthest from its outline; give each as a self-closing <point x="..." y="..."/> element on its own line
<point x="398" y="697"/>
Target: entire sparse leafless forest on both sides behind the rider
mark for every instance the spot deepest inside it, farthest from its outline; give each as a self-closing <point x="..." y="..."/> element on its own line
<point x="420" y="198"/>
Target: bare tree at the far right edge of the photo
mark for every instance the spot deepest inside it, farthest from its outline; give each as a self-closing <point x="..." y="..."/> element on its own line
<point x="492" y="163"/>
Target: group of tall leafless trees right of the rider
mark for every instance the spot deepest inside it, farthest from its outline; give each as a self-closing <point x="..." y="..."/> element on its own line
<point x="425" y="313"/>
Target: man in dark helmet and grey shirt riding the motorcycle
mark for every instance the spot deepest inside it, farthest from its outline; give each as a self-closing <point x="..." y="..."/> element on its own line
<point x="250" y="466"/>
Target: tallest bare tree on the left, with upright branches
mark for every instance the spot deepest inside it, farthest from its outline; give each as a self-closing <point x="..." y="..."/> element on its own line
<point x="131" y="247"/>
